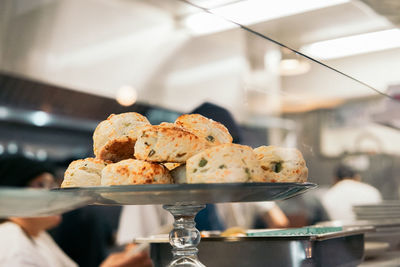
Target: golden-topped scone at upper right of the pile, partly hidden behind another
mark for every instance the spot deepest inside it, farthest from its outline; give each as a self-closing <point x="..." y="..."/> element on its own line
<point x="213" y="132"/>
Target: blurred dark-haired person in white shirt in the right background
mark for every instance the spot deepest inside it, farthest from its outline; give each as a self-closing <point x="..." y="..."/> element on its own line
<point x="347" y="191"/>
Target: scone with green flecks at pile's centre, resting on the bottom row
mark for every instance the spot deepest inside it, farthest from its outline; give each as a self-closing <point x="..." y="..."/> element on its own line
<point x="167" y="143"/>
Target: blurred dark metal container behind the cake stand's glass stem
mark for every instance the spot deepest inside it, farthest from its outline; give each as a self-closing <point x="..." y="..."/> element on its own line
<point x="344" y="248"/>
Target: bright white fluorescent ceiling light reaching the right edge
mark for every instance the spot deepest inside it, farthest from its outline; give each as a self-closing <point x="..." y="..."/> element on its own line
<point x="354" y="45"/>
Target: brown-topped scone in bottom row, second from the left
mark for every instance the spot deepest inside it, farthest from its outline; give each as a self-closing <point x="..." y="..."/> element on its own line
<point x="131" y="171"/>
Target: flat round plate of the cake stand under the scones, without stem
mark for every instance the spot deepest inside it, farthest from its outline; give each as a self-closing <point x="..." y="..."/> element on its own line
<point x="175" y="194"/>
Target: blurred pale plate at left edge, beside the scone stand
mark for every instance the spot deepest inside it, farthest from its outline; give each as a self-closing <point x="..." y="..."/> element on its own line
<point x="24" y="202"/>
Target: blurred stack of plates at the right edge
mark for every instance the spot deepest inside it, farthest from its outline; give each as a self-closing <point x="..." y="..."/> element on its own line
<point x="382" y="211"/>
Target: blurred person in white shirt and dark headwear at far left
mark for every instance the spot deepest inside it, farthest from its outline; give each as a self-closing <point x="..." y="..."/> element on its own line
<point x="24" y="241"/>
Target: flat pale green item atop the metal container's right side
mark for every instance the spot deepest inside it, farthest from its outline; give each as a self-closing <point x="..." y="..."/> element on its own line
<point x="305" y="231"/>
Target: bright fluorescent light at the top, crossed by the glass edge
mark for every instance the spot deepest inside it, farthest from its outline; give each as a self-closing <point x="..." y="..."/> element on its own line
<point x="250" y="12"/>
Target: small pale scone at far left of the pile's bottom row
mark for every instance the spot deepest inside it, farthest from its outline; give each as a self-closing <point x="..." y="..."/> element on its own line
<point x="83" y="172"/>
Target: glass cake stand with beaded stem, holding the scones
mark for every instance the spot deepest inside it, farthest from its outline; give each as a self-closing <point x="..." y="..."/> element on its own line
<point x="184" y="201"/>
